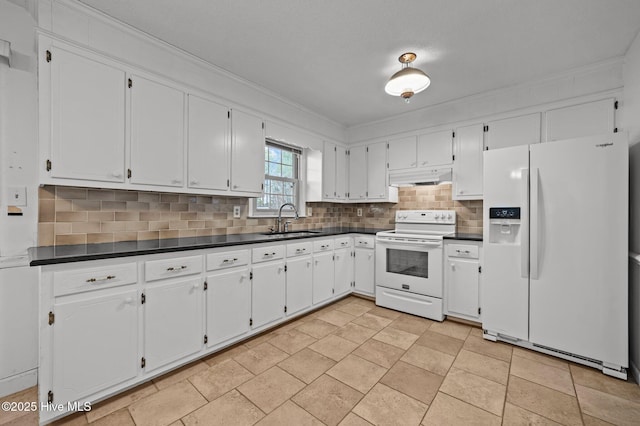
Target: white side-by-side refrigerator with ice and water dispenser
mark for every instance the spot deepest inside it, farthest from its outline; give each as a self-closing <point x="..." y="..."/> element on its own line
<point x="555" y="249"/>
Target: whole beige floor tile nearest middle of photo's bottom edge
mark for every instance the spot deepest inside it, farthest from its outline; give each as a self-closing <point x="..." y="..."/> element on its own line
<point x="328" y="399"/>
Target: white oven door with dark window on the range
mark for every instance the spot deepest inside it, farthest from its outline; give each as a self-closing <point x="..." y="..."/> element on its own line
<point x="413" y="266"/>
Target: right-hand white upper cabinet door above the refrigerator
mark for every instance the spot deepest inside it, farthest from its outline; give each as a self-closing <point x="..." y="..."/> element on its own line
<point x="591" y="118"/>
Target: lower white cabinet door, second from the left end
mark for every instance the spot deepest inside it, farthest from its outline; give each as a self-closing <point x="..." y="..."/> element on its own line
<point x="173" y="315"/>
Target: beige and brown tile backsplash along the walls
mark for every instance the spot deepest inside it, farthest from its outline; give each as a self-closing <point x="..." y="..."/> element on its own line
<point x="69" y="215"/>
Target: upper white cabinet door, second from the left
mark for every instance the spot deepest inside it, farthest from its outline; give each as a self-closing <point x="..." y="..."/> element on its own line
<point x="157" y="133"/>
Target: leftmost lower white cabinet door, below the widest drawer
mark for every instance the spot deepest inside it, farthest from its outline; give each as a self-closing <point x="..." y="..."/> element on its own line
<point x="96" y="340"/>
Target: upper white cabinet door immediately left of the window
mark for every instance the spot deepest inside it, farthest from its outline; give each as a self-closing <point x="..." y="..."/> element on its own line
<point x="247" y="152"/>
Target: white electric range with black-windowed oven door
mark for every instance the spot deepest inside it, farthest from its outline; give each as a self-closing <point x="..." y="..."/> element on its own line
<point x="409" y="268"/>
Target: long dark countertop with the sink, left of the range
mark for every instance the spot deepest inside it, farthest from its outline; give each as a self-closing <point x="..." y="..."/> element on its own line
<point x="83" y="252"/>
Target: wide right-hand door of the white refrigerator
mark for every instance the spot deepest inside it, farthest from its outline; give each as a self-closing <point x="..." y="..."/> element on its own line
<point x="579" y="243"/>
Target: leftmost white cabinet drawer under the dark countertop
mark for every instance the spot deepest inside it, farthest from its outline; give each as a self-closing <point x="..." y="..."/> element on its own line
<point x="81" y="280"/>
